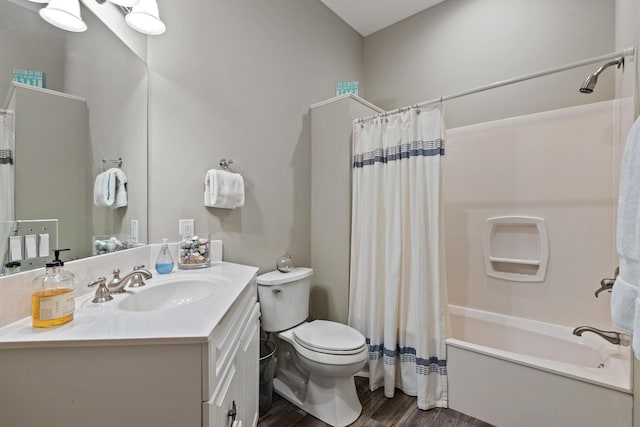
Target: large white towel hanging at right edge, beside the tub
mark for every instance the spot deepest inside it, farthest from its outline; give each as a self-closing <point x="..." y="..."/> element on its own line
<point x="624" y="296"/>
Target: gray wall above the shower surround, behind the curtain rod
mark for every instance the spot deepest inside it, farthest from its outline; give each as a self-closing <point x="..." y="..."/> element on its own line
<point x="461" y="44"/>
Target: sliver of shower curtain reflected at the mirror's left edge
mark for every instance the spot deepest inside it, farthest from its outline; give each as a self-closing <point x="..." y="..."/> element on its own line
<point x="7" y="181"/>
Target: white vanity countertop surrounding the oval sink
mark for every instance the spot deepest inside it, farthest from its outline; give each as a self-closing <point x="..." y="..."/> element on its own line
<point x="108" y="324"/>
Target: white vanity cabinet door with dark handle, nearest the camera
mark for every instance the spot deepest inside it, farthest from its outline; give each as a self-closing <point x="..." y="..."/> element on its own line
<point x="218" y="412"/>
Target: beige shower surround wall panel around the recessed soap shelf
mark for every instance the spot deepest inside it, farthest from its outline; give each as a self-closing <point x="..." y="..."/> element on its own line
<point x="578" y="206"/>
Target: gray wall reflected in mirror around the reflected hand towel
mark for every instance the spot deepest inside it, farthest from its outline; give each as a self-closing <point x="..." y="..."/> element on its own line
<point x="114" y="81"/>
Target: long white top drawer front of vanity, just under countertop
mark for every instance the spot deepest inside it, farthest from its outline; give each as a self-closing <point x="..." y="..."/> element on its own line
<point x="225" y="340"/>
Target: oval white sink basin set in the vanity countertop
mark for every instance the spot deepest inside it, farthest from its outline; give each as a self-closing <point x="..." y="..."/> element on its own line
<point x="173" y="294"/>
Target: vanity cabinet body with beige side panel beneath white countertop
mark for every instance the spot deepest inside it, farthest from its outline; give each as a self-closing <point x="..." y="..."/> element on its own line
<point x="186" y="381"/>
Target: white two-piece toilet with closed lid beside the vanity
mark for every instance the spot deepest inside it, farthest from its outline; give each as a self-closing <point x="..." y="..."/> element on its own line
<point x="316" y="361"/>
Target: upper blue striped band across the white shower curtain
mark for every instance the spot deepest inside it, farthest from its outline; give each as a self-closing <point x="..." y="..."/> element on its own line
<point x="398" y="152"/>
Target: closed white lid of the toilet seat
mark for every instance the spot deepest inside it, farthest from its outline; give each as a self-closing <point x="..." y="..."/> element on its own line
<point x="329" y="337"/>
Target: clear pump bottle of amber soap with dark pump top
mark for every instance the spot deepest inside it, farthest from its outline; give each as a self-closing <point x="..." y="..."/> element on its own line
<point x="52" y="302"/>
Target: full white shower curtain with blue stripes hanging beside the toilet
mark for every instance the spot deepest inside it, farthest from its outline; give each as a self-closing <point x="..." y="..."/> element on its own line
<point x="397" y="279"/>
